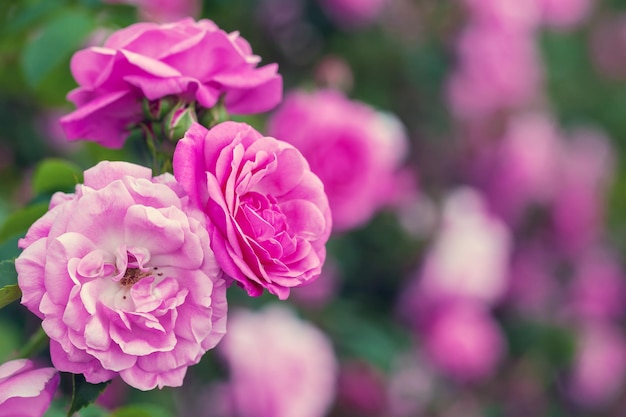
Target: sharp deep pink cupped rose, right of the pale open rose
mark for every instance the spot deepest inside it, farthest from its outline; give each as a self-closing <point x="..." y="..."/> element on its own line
<point x="269" y="218"/>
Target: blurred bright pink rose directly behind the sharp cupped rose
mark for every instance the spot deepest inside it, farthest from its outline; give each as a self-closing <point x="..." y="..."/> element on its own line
<point x="356" y="151"/>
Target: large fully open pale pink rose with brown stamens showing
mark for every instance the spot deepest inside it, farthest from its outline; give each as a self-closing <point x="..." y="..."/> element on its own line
<point x="122" y="275"/>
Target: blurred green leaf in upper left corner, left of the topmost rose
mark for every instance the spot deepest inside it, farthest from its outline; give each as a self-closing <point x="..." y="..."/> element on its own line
<point x="55" y="43"/>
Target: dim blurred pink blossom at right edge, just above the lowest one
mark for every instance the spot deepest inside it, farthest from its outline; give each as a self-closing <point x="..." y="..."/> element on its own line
<point x="598" y="289"/>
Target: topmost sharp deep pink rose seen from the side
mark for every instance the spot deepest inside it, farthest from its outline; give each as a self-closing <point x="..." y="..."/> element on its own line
<point x="195" y="61"/>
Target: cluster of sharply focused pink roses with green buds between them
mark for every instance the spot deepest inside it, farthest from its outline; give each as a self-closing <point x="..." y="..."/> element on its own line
<point x="129" y="272"/>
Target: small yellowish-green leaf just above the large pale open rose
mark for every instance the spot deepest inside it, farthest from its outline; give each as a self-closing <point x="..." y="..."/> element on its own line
<point x="56" y="175"/>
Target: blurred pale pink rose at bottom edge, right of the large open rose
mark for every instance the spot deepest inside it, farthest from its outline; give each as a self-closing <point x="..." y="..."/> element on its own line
<point x="279" y="365"/>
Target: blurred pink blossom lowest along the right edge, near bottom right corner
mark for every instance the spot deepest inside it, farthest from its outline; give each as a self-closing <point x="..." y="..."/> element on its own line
<point x="599" y="365"/>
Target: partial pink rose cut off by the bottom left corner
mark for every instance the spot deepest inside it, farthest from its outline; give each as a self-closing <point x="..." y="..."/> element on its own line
<point x="25" y="390"/>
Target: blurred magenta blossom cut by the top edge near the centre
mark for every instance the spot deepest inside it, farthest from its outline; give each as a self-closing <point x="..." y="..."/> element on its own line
<point x="352" y="14"/>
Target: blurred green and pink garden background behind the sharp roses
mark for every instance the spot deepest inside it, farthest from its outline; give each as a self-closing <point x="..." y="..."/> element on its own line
<point x="473" y="153"/>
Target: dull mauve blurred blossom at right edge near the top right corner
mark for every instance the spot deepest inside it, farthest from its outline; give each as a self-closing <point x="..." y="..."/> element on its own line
<point x="608" y="46"/>
